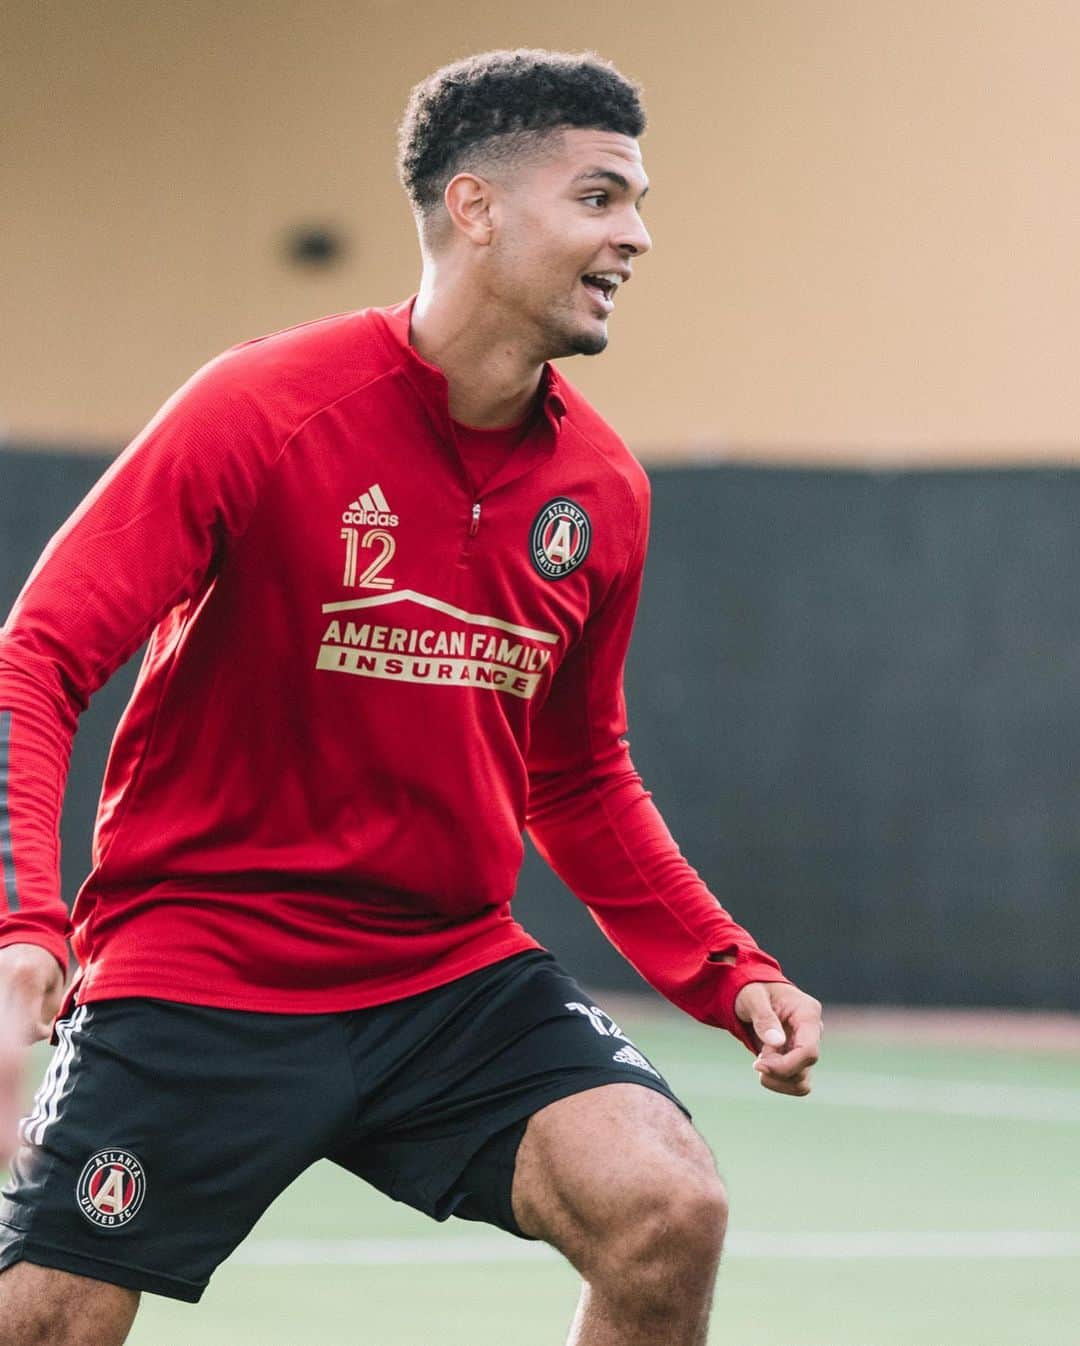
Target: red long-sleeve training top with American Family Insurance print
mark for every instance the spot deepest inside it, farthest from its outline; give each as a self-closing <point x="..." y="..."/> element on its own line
<point x="366" y="676"/>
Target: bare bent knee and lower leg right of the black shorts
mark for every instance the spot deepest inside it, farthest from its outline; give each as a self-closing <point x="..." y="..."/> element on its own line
<point x="620" y="1182"/>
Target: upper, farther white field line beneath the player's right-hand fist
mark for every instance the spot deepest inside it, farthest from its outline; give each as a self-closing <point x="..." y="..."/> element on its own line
<point x="902" y="1094"/>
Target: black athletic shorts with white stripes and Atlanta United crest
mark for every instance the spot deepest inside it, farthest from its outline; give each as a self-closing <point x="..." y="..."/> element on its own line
<point x="162" y="1131"/>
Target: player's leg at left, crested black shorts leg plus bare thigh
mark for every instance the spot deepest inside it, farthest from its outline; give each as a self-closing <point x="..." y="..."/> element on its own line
<point x="158" y="1138"/>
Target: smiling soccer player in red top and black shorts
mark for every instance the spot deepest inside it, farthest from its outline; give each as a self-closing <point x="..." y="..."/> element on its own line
<point x="389" y="565"/>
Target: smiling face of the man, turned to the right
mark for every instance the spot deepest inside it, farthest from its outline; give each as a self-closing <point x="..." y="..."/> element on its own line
<point x="568" y="229"/>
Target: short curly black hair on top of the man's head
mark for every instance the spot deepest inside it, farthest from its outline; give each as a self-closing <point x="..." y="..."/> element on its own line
<point x="496" y="103"/>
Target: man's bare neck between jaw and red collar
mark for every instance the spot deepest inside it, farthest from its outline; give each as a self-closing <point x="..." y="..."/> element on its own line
<point x="492" y="379"/>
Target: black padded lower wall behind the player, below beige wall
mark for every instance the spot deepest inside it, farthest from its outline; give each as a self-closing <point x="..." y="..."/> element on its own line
<point x="853" y="697"/>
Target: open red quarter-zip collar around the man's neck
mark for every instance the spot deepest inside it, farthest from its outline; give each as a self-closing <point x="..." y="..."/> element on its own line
<point x="432" y="387"/>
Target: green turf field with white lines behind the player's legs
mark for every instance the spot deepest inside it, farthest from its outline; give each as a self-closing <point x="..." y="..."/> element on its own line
<point x="923" y="1197"/>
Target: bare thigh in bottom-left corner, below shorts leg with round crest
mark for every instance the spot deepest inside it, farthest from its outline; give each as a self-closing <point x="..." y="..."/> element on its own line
<point x="45" y="1308"/>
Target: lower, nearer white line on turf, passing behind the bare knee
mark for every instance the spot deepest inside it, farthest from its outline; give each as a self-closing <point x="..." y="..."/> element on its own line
<point x="799" y="1247"/>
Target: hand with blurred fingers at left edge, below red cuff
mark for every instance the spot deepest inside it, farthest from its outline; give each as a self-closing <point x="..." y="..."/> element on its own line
<point x="32" y="986"/>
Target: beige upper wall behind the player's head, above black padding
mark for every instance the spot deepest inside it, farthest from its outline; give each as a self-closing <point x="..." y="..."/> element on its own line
<point x="865" y="212"/>
